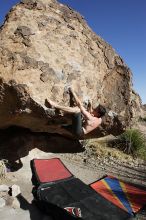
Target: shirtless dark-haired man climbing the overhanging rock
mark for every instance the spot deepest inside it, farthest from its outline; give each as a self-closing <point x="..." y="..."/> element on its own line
<point x="92" y="117"/>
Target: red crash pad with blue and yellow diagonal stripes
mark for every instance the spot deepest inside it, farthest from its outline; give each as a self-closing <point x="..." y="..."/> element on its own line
<point x="125" y="196"/>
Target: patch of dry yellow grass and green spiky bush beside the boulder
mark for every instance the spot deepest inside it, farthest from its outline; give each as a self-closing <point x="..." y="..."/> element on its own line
<point x="129" y="145"/>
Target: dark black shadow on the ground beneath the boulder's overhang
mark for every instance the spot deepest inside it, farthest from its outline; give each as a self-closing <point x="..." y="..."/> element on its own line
<point x="17" y="142"/>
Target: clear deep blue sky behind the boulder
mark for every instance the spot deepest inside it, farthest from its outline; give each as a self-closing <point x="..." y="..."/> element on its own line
<point x="122" y="23"/>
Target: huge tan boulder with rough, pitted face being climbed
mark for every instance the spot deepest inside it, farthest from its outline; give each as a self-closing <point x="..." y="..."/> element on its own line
<point x="45" y="47"/>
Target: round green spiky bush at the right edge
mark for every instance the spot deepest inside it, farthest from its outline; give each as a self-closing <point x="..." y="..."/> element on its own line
<point x="133" y="142"/>
